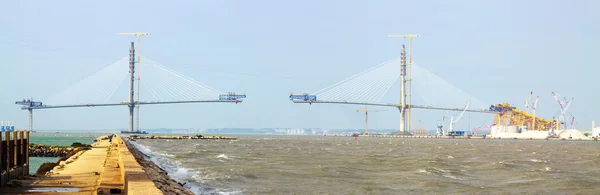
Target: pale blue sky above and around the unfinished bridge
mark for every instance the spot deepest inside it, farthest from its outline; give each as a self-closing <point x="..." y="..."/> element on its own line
<point x="495" y="50"/>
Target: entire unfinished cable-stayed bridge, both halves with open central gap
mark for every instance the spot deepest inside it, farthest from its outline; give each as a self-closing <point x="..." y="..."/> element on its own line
<point x="166" y="86"/>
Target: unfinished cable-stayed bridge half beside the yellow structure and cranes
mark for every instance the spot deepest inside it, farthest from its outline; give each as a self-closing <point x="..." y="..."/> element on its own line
<point x="368" y="87"/>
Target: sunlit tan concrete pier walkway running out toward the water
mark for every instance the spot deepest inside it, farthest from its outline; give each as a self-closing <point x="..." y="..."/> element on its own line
<point x="108" y="168"/>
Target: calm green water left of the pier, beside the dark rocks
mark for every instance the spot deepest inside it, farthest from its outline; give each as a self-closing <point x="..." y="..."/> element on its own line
<point x="56" y="139"/>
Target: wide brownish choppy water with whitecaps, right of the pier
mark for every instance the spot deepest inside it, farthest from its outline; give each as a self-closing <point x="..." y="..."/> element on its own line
<point x="339" y="165"/>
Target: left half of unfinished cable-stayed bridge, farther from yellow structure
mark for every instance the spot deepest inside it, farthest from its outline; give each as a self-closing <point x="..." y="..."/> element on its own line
<point x="164" y="85"/>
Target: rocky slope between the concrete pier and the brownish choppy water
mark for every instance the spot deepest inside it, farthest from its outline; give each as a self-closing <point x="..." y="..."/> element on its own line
<point x="159" y="176"/>
